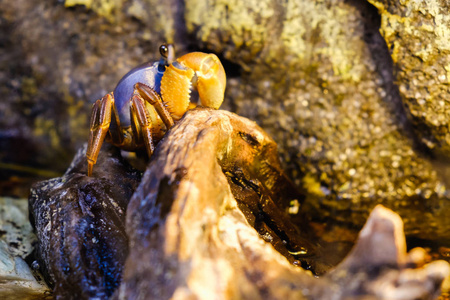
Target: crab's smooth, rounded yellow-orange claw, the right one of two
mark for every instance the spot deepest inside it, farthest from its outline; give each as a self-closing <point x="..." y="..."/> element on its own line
<point x="211" y="78"/>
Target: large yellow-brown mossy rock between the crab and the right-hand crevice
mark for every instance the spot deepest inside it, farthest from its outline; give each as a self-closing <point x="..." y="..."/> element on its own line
<point x="321" y="87"/>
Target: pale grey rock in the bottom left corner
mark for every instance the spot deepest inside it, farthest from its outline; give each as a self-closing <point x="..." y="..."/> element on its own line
<point x="17" y="279"/>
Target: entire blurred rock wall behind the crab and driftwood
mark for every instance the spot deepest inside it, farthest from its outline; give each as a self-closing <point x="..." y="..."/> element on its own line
<point x="355" y="93"/>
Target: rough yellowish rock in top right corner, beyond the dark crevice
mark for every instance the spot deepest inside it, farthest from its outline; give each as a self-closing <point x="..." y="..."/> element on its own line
<point x="418" y="36"/>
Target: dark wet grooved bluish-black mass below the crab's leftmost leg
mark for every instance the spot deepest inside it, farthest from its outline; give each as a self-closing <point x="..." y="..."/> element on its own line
<point x="79" y="222"/>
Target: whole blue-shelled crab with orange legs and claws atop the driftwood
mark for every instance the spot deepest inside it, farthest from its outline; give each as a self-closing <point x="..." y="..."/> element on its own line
<point x="151" y="98"/>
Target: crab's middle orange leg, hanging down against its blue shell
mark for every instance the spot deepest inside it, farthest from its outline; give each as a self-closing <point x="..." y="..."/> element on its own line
<point x="141" y="123"/>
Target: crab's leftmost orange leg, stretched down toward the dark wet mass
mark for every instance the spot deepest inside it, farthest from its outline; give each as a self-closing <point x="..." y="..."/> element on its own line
<point x="99" y="126"/>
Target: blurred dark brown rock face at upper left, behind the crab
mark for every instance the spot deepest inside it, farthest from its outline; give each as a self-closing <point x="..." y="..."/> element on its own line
<point x="48" y="82"/>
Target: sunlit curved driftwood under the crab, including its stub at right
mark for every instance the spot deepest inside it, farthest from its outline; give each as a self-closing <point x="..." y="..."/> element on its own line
<point x="190" y="240"/>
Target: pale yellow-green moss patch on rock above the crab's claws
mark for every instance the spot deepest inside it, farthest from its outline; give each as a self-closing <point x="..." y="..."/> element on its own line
<point x="297" y="32"/>
